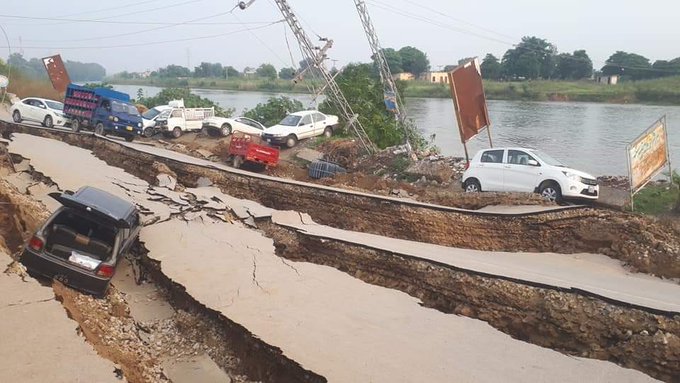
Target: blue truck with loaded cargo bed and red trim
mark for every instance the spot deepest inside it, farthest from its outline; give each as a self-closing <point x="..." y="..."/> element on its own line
<point x="104" y="110"/>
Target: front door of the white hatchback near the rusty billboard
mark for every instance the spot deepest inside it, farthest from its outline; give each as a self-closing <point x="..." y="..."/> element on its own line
<point x="521" y="171"/>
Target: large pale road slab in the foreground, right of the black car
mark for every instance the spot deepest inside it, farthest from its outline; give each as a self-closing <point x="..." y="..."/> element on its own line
<point x="342" y="328"/>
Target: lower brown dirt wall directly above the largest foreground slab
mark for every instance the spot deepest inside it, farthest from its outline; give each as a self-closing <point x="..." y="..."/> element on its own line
<point x="571" y="323"/>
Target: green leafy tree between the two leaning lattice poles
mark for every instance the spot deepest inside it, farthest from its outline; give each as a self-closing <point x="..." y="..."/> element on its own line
<point x="364" y="92"/>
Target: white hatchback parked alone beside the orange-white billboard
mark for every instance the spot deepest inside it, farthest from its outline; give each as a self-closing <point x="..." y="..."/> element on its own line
<point x="527" y="170"/>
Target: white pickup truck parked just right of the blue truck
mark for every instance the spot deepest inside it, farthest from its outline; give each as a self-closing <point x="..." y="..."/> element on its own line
<point x="178" y="119"/>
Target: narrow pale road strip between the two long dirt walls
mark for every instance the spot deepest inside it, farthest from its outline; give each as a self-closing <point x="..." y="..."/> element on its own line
<point x="592" y="274"/>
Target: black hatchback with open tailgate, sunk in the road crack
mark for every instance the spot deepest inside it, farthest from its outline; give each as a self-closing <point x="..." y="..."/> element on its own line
<point x="82" y="242"/>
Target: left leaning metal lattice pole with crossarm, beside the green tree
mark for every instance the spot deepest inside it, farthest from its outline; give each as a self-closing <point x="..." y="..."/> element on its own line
<point x="316" y="56"/>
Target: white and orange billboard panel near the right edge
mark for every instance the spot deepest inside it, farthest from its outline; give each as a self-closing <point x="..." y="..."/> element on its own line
<point x="648" y="155"/>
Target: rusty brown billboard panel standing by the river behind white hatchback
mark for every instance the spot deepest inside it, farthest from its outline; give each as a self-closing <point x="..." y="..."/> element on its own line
<point x="469" y="100"/>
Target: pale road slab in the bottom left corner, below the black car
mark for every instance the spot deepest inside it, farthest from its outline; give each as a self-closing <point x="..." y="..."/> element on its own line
<point x="39" y="342"/>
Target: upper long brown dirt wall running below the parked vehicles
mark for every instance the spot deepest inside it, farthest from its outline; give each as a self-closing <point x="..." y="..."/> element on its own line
<point x="641" y="242"/>
